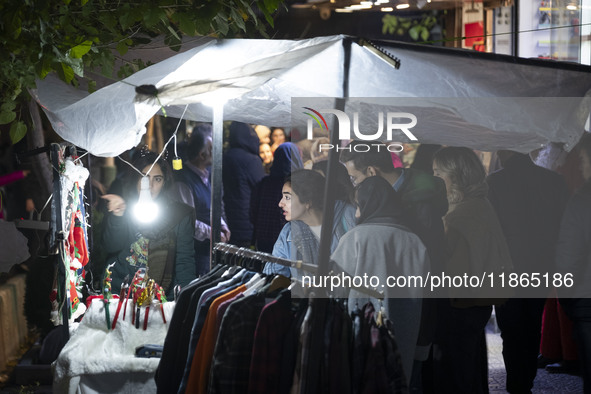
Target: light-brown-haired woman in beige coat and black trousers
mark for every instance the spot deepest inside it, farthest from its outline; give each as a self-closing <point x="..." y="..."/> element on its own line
<point x="475" y="244"/>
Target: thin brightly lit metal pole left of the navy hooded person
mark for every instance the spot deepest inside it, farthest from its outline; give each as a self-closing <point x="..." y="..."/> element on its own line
<point x="216" y="177"/>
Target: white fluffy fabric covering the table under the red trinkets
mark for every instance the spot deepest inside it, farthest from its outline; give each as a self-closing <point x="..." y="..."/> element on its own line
<point x="93" y="351"/>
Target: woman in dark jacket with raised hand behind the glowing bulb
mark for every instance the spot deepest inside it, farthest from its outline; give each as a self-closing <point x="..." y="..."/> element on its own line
<point x="164" y="246"/>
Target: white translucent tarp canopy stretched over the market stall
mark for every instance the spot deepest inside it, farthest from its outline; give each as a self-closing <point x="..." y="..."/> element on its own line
<point x="460" y="98"/>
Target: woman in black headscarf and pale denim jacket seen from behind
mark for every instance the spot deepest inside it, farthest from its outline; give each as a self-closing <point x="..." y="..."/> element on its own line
<point x="382" y="246"/>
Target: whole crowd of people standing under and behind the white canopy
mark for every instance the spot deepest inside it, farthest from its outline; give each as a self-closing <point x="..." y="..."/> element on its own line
<point x="442" y="214"/>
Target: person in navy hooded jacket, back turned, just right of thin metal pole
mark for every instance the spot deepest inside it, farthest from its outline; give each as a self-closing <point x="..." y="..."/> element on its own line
<point x="242" y="170"/>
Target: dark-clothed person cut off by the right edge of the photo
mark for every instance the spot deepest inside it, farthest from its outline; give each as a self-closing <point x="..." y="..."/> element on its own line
<point x="573" y="257"/>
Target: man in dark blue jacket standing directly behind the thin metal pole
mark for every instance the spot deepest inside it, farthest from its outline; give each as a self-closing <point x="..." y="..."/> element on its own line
<point x="193" y="187"/>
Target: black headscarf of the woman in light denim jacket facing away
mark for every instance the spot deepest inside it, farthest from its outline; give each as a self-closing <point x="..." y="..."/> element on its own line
<point x="378" y="202"/>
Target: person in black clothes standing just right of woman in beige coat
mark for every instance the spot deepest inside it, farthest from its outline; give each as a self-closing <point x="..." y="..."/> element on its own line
<point x="529" y="201"/>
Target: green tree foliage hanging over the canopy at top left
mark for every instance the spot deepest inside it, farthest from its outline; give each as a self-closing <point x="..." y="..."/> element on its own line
<point x="39" y="37"/>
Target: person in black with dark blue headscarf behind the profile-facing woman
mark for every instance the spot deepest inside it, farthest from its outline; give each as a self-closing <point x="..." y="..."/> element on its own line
<point x="265" y="214"/>
